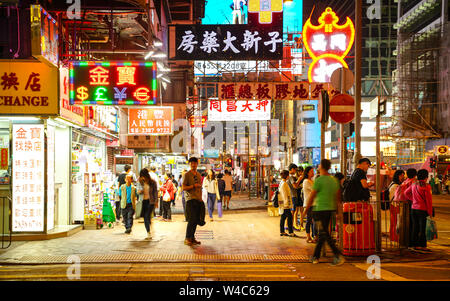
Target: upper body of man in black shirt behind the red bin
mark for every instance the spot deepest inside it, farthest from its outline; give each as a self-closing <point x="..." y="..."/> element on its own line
<point x="357" y="188"/>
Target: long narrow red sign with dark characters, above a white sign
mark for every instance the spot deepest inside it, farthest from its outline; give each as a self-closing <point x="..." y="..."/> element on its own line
<point x="272" y="91"/>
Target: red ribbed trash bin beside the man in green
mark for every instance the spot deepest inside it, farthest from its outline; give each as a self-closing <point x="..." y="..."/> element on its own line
<point x="358" y="229"/>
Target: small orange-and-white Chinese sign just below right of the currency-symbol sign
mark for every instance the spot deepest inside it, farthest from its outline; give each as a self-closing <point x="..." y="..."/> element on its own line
<point x="150" y="121"/>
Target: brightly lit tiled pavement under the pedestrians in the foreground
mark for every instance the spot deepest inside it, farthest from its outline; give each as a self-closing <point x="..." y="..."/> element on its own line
<point x="246" y="235"/>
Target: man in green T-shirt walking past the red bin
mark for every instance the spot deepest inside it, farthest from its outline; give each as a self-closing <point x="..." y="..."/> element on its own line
<point x="324" y="199"/>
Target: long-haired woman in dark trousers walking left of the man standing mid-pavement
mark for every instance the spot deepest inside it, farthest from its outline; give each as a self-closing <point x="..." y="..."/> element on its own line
<point x="150" y="199"/>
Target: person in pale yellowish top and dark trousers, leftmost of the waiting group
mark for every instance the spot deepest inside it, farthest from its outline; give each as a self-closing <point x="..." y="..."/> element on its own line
<point x="285" y="205"/>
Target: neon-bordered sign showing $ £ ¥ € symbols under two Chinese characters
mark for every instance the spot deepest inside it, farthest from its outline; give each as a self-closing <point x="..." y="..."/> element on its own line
<point x="112" y="83"/>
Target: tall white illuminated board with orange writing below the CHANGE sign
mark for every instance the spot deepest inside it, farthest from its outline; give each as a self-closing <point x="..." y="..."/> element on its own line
<point x="28" y="178"/>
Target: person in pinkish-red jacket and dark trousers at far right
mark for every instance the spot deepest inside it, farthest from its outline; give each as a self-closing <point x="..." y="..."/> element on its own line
<point x="422" y="207"/>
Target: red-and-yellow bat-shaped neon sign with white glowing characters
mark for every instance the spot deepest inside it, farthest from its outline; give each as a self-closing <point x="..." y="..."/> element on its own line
<point x="327" y="43"/>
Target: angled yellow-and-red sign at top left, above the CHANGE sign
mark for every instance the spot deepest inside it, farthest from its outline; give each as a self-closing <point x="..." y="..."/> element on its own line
<point x="44" y="35"/>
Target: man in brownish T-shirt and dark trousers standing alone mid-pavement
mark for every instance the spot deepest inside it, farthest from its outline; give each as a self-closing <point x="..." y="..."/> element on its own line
<point x="192" y="186"/>
